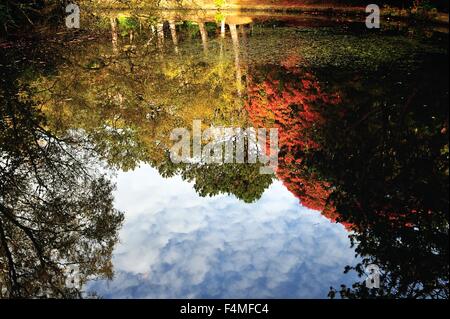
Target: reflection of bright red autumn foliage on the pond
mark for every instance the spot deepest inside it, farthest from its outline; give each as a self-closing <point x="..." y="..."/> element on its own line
<point x="291" y="99"/>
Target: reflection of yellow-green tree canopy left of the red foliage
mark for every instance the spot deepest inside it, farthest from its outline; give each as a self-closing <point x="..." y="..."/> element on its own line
<point x="129" y="113"/>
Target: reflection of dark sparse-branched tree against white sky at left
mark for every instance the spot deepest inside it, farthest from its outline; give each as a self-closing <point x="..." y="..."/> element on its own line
<point x="56" y="209"/>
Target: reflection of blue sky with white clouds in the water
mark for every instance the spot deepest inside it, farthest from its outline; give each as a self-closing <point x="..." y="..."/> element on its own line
<point x="175" y="244"/>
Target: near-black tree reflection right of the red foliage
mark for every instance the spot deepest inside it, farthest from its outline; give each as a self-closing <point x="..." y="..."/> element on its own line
<point x="389" y="161"/>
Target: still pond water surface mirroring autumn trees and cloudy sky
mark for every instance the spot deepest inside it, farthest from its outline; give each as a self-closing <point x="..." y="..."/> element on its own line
<point x="88" y="185"/>
